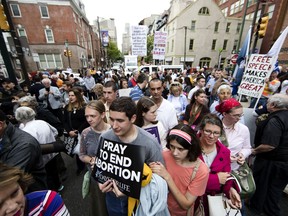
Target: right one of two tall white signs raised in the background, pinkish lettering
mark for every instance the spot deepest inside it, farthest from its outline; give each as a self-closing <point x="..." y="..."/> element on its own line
<point x="159" y="48"/>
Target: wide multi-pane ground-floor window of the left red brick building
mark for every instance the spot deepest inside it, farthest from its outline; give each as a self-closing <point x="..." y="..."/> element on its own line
<point x="50" y="61"/>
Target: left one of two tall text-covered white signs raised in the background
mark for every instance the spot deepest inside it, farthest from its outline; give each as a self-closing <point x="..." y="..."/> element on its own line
<point x="139" y="40"/>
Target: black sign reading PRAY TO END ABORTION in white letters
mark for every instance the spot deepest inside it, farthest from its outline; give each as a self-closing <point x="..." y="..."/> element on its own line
<point x="121" y="162"/>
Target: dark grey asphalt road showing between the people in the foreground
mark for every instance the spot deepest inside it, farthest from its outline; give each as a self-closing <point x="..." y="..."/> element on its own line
<point x="72" y="194"/>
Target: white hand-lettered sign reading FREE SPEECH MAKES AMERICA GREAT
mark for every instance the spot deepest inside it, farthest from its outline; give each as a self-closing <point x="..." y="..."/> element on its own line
<point x="257" y="70"/>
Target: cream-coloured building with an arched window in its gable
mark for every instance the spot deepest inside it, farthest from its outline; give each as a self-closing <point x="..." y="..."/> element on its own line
<point x="200" y="35"/>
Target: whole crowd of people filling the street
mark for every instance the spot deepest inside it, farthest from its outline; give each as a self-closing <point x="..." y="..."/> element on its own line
<point x="192" y="131"/>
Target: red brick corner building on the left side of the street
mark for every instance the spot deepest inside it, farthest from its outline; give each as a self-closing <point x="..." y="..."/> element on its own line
<point x="54" y="35"/>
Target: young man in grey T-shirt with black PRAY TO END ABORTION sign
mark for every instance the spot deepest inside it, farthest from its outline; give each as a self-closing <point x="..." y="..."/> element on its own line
<point x="121" y="155"/>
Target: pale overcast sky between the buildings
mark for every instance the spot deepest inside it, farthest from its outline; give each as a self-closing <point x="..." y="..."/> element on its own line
<point x="124" y="11"/>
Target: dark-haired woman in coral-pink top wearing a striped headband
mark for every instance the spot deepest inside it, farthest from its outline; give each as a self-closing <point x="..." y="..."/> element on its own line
<point x="181" y="159"/>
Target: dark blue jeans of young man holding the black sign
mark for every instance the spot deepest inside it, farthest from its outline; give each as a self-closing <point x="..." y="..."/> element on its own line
<point x="116" y="206"/>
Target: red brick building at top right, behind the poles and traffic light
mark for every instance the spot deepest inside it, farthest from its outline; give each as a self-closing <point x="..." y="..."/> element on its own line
<point x="277" y="10"/>
